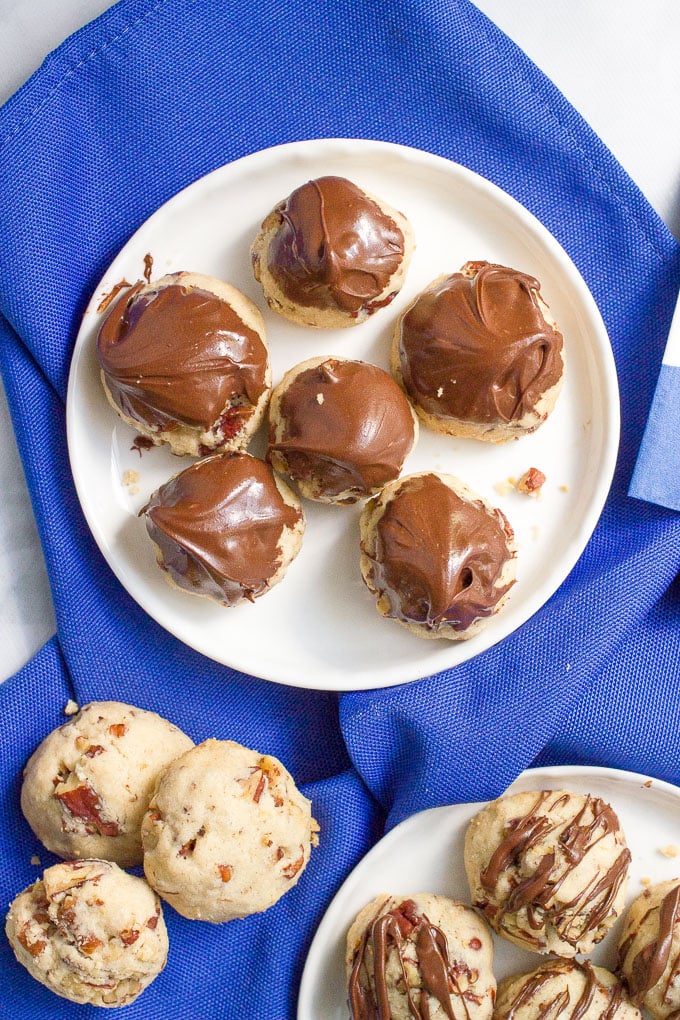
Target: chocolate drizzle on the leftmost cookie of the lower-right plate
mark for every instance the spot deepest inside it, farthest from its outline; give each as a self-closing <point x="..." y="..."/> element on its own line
<point x="399" y="932"/>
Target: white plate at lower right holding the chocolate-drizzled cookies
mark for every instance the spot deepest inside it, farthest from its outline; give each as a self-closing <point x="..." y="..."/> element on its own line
<point x="425" y="854"/>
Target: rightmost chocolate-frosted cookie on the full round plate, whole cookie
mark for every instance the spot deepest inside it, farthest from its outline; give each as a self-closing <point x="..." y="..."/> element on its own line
<point x="479" y="354"/>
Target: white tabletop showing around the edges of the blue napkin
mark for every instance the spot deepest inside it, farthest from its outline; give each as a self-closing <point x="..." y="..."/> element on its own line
<point x="617" y="62"/>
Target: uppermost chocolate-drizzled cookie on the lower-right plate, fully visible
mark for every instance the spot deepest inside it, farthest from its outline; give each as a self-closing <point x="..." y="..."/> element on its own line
<point x="549" y="870"/>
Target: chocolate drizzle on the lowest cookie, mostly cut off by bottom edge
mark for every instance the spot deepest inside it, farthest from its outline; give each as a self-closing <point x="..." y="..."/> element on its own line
<point x="533" y="992"/>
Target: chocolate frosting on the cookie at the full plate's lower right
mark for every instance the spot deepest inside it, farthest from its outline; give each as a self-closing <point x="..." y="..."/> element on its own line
<point x="439" y="557"/>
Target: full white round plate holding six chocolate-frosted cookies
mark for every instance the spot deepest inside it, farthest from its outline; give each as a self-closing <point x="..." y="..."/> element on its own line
<point x="320" y="628"/>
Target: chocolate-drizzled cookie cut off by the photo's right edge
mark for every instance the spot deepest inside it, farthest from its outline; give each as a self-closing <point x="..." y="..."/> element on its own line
<point x="650" y="950"/>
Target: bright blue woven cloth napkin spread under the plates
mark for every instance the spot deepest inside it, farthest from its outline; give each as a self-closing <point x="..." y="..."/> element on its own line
<point x="137" y="106"/>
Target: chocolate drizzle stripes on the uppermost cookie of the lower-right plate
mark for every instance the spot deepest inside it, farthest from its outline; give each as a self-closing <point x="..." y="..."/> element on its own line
<point x="539" y="892"/>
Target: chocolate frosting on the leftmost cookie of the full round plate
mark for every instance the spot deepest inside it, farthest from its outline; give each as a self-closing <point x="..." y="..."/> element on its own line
<point x="177" y="355"/>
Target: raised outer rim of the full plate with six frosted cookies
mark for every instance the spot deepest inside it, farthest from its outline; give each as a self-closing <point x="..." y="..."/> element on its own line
<point x="610" y="421"/>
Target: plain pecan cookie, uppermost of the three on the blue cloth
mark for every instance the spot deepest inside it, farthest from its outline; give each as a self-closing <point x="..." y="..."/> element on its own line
<point x="87" y="787"/>
